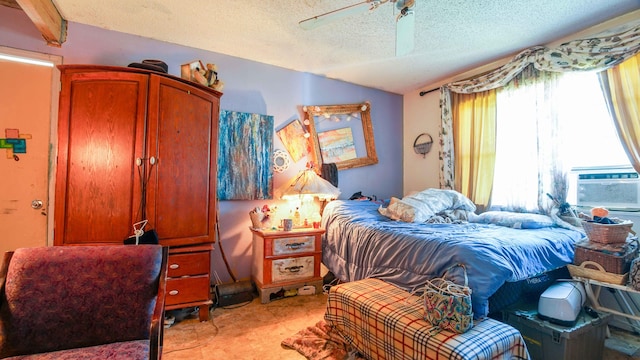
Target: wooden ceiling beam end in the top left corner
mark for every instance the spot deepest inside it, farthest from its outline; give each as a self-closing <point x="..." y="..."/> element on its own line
<point x="45" y="16"/>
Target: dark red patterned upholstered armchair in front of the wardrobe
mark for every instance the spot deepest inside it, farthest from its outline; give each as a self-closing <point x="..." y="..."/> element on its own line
<point x="83" y="302"/>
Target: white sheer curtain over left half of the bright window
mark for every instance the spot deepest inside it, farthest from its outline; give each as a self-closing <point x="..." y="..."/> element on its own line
<point x="529" y="141"/>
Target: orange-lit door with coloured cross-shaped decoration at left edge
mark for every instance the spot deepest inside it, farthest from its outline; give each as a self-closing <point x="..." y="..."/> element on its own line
<point x="28" y="108"/>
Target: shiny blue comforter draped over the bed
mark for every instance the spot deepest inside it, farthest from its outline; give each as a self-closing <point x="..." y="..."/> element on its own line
<point x="361" y="243"/>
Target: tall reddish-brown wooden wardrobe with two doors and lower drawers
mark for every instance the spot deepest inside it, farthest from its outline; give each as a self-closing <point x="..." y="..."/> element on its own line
<point x="139" y="145"/>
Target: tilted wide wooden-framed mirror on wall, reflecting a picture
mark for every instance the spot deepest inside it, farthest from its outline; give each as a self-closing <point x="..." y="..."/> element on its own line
<point x="341" y="134"/>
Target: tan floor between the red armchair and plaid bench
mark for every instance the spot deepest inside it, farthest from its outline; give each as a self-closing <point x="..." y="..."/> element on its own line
<point x="251" y="331"/>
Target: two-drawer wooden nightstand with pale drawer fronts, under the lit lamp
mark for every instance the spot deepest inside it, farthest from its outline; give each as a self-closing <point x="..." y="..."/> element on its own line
<point x="285" y="260"/>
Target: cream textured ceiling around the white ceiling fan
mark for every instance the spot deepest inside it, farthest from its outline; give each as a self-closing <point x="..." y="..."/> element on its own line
<point x="451" y="36"/>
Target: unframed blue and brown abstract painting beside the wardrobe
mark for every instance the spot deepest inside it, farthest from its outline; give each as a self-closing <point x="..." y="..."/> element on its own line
<point x="245" y="156"/>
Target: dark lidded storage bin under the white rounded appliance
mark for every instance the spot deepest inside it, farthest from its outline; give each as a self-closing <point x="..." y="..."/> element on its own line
<point x="547" y="341"/>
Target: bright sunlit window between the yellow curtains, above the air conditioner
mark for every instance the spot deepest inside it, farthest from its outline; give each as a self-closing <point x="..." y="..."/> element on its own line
<point x="559" y="121"/>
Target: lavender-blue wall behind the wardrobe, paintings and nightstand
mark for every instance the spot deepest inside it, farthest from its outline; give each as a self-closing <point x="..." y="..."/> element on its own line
<point x="249" y="87"/>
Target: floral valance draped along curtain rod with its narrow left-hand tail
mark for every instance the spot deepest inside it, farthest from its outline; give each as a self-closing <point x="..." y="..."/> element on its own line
<point x="598" y="53"/>
